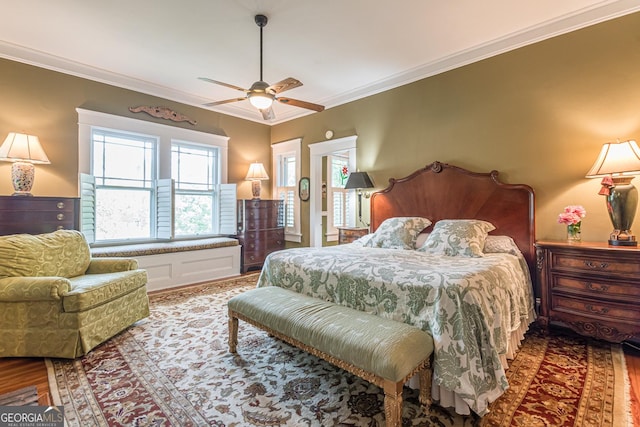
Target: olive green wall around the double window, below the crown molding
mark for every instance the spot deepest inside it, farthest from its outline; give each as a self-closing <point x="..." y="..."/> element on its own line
<point x="43" y="103"/>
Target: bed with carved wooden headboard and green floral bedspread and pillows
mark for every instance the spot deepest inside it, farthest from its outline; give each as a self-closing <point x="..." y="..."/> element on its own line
<point x="452" y="252"/>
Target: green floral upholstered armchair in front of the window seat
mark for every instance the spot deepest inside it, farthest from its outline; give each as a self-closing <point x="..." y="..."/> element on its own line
<point x="57" y="301"/>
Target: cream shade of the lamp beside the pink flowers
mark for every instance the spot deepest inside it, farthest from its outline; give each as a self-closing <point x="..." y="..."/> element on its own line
<point x="616" y="158"/>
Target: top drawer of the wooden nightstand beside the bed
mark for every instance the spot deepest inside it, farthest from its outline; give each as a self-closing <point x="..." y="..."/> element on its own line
<point x="595" y="264"/>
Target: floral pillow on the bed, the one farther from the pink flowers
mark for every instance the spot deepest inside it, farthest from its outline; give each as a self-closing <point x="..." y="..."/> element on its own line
<point x="398" y="233"/>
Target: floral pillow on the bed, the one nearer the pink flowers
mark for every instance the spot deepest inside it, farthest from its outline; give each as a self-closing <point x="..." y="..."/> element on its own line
<point x="458" y="237"/>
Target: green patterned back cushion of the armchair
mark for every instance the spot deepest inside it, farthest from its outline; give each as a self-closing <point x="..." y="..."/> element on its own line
<point x="63" y="253"/>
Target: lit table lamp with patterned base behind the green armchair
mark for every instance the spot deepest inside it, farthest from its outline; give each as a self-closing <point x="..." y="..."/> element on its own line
<point x="23" y="150"/>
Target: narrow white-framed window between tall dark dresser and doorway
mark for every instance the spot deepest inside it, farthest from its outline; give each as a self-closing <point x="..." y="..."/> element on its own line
<point x="286" y="161"/>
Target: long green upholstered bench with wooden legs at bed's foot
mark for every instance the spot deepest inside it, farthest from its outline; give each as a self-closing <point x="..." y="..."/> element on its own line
<point x="382" y="351"/>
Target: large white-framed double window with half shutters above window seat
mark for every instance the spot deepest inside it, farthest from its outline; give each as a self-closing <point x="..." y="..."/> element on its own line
<point x="142" y="181"/>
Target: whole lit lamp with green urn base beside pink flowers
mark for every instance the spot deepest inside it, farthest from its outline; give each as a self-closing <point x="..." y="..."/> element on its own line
<point x="616" y="164"/>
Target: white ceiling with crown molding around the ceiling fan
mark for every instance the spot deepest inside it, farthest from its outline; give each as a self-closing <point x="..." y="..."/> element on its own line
<point x="342" y="50"/>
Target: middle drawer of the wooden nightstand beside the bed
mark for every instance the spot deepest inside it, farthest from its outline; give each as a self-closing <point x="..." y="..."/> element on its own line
<point x="595" y="288"/>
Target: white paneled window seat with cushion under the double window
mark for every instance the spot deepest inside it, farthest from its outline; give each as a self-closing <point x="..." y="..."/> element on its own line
<point x="180" y="262"/>
